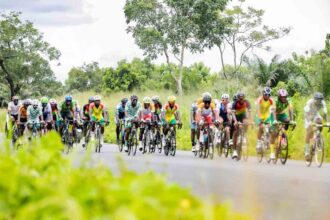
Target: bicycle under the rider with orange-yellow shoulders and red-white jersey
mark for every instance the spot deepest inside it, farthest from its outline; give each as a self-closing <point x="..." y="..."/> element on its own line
<point x="206" y="142"/>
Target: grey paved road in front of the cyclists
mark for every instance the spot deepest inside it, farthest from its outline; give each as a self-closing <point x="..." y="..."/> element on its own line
<point x="269" y="191"/>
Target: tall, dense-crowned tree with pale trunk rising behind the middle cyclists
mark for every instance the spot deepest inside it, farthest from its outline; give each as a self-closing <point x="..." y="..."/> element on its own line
<point x="169" y="28"/>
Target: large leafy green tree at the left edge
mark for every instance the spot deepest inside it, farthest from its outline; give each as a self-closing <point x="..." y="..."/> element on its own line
<point x="24" y="55"/>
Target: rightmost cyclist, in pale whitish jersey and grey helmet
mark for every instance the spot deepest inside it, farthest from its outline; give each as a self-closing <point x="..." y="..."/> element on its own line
<point x="312" y="115"/>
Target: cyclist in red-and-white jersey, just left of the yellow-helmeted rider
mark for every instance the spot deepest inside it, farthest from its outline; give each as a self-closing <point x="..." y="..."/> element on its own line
<point x="145" y="116"/>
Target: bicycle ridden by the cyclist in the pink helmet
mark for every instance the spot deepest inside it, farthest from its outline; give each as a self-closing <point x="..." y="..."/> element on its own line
<point x="282" y="143"/>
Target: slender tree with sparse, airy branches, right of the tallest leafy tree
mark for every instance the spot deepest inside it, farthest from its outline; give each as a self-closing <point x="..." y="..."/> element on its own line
<point x="244" y="33"/>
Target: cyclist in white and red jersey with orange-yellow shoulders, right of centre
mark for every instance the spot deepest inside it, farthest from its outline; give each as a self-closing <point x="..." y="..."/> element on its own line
<point x="206" y="113"/>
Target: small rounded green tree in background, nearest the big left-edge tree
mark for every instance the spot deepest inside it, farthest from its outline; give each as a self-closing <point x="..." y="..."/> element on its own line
<point x="84" y="78"/>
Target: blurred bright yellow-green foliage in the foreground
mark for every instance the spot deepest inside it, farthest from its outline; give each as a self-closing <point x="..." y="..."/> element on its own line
<point x="40" y="182"/>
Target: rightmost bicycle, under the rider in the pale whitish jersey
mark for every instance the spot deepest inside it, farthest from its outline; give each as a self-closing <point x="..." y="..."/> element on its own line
<point x="317" y="148"/>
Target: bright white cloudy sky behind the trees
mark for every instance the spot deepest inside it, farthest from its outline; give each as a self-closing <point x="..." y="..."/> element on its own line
<point x="95" y="30"/>
